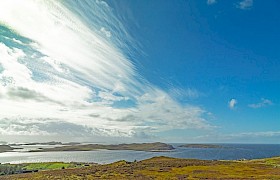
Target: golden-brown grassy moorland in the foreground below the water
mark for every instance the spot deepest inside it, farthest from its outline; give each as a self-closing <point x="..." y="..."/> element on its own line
<point x="159" y="168"/>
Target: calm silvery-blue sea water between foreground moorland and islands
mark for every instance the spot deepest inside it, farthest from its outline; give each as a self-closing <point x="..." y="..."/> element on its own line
<point x="229" y="152"/>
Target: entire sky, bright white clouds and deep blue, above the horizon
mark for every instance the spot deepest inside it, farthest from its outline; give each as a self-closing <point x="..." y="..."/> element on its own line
<point x="140" y="71"/>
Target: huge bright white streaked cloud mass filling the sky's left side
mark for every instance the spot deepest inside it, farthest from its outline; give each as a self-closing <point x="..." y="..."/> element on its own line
<point x="78" y="78"/>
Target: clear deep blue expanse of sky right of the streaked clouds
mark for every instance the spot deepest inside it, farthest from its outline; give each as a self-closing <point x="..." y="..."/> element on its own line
<point x="221" y="50"/>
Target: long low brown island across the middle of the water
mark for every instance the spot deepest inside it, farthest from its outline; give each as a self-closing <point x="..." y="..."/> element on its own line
<point x="90" y="147"/>
